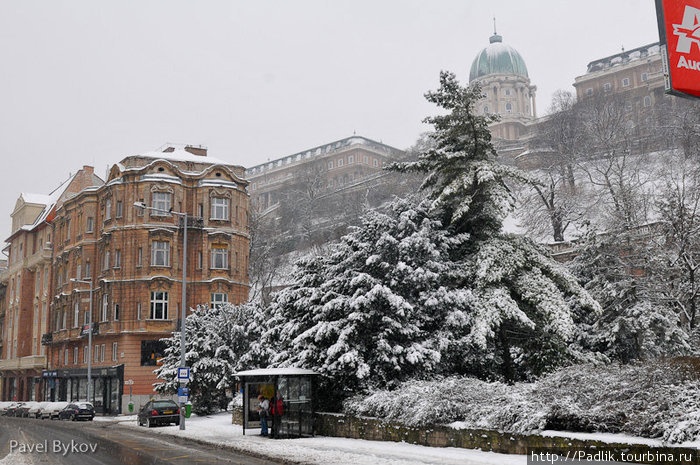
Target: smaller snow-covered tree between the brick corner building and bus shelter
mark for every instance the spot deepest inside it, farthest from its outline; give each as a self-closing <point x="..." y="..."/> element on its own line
<point x="218" y="344"/>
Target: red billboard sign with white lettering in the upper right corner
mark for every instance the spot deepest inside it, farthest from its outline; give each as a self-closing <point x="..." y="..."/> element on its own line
<point x="679" y="31"/>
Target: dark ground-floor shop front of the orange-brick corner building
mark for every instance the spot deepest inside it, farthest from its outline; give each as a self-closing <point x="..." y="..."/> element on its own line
<point x="71" y="385"/>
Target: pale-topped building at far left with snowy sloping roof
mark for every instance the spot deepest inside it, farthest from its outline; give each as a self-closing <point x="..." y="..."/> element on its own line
<point x="26" y="282"/>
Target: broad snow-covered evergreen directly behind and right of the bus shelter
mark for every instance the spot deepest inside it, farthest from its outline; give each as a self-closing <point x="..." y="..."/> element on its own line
<point x="357" y="315"/>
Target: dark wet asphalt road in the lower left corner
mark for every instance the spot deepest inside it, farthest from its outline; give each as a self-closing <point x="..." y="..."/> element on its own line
<point x="25" y="441"/>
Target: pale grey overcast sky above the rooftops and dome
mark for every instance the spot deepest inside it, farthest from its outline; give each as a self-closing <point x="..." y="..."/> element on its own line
<point x="89" y="82"/>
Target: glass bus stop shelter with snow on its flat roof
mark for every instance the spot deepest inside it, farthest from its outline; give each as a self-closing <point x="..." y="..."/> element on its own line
<point x="296" y="385"/>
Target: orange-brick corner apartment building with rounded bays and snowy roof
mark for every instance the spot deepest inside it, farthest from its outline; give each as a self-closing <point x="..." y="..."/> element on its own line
<point x="131" y="258"/>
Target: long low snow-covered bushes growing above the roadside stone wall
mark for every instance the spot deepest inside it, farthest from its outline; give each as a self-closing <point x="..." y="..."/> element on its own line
<point x="656" y="400"/>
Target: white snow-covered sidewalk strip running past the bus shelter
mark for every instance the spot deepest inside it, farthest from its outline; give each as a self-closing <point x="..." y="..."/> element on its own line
<point x="217" y="429"/>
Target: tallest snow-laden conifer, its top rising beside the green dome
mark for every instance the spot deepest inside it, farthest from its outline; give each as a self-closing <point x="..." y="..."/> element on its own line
<point x="521" y="307"/>
